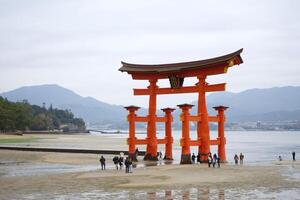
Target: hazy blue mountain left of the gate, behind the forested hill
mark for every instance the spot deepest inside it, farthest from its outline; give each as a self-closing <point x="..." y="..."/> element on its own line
<point x="88" y="108"/>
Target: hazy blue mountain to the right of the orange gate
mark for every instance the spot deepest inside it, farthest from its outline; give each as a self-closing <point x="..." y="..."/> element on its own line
<point x="271" y="104"/>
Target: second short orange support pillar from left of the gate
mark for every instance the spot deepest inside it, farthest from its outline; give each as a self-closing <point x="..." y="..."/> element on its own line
<point x="168" y="132"/>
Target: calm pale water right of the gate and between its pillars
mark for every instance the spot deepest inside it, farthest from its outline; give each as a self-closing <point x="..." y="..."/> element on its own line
<point x="257" y="146"/>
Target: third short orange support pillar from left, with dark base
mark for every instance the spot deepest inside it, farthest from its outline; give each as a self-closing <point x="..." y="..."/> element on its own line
<point x="185" y="140"/>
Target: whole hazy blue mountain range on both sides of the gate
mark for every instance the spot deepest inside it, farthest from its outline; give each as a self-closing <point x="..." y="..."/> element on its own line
<point x="273" y="104"/>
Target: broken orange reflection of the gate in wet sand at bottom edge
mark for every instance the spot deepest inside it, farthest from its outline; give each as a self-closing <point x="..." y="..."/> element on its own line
<point x="193" y="193"/>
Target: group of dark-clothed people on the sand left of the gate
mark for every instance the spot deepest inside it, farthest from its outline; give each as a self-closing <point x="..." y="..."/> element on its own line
<point x="119" y="162"/>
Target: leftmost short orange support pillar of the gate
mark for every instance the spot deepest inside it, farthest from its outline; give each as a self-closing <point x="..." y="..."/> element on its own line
<point x="132" y="139"/>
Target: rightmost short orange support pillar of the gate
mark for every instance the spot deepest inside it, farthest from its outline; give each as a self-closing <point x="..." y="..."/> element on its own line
<point x="221" y="137"/>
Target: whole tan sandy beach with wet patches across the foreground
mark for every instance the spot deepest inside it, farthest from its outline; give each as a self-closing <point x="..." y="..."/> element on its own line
<point x="83" y="176"/>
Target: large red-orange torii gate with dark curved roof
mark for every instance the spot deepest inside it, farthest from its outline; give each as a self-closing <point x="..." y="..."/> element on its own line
<point x="176" y="73"/>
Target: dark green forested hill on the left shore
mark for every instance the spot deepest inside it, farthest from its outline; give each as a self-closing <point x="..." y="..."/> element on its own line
<point x="23" y="116"/>
